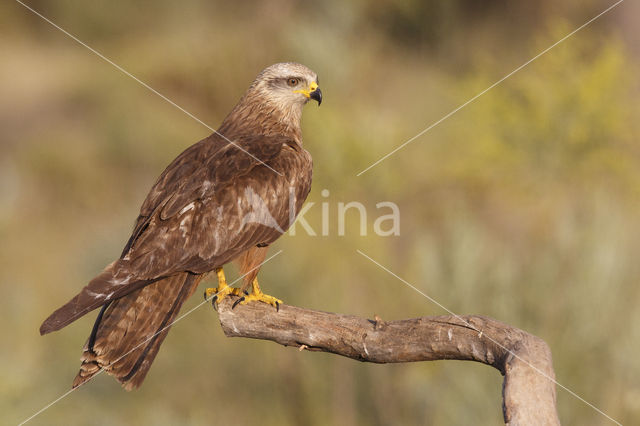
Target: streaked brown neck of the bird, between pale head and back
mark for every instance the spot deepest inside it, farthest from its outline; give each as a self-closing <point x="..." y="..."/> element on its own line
<point x="253" y="115"/>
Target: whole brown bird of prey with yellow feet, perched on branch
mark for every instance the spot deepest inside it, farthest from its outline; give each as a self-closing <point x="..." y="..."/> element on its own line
<point x="224" y="199"/>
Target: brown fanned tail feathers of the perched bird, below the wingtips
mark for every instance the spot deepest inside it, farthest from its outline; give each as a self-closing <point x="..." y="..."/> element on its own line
<point x="132" y="329"/>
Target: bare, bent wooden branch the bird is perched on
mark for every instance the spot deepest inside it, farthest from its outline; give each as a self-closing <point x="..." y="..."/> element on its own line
<point x="529" y="394"/>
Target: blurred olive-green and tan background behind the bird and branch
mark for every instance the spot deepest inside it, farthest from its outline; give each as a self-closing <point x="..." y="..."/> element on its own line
<point x="523" y="206"/>
